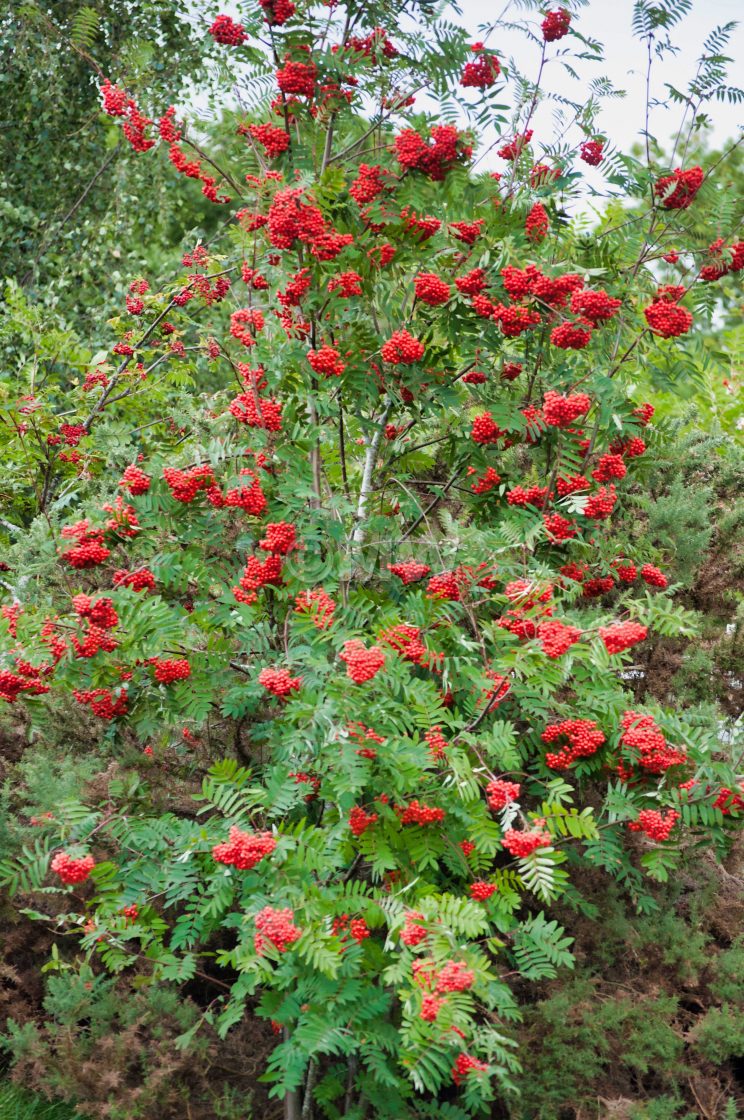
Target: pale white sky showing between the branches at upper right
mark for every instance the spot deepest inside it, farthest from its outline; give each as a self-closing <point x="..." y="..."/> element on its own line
<point x="611" y="23"/>
